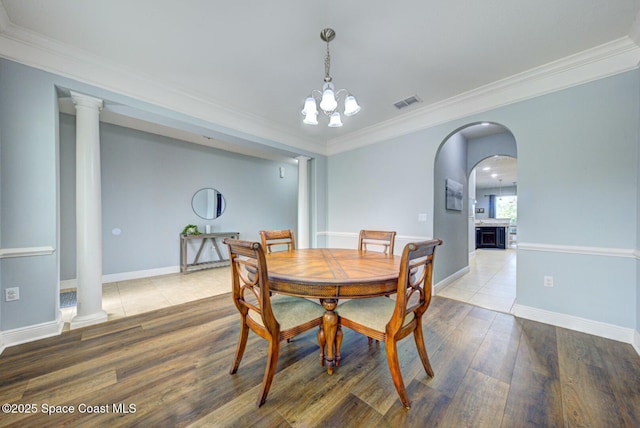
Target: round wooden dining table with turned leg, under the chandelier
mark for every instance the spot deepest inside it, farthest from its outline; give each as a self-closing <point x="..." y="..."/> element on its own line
<point x="330" y="274"/>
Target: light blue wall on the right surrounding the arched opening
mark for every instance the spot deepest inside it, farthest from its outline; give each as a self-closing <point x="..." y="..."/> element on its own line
<point x="577" y="188"/>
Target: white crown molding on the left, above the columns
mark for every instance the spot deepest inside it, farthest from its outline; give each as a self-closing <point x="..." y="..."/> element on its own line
<point x="29" y="48"/>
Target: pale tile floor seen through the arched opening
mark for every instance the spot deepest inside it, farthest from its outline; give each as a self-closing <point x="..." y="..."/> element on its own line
<point x="490" y="283"/>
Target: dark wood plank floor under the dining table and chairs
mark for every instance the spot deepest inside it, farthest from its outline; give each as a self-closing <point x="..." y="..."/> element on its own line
<point x="170" y="368"/>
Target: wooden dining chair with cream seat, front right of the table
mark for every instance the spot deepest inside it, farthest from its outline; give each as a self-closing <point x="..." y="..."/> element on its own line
<point x="391" y="320"/>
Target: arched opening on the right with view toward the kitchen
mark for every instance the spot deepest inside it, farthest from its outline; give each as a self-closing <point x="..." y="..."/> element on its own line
<point x="483" y="274"/>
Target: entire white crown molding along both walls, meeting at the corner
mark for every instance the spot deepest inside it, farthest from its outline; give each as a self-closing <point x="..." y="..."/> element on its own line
<point x="29" y="48"/>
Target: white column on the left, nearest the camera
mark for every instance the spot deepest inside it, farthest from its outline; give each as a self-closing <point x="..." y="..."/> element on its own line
<point x="88" y="212"/>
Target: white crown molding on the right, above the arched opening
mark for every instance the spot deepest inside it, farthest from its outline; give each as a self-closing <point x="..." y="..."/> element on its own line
<point x="605" y="60"/>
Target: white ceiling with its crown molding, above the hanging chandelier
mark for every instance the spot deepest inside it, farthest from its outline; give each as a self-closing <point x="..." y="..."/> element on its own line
<point x="248" y="65"/>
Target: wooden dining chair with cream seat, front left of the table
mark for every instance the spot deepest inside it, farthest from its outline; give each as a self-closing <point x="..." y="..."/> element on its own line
<point x="274" y="318"/>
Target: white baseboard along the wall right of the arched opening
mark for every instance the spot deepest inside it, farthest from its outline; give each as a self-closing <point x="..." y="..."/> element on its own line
<point x="596" y="328"/>
